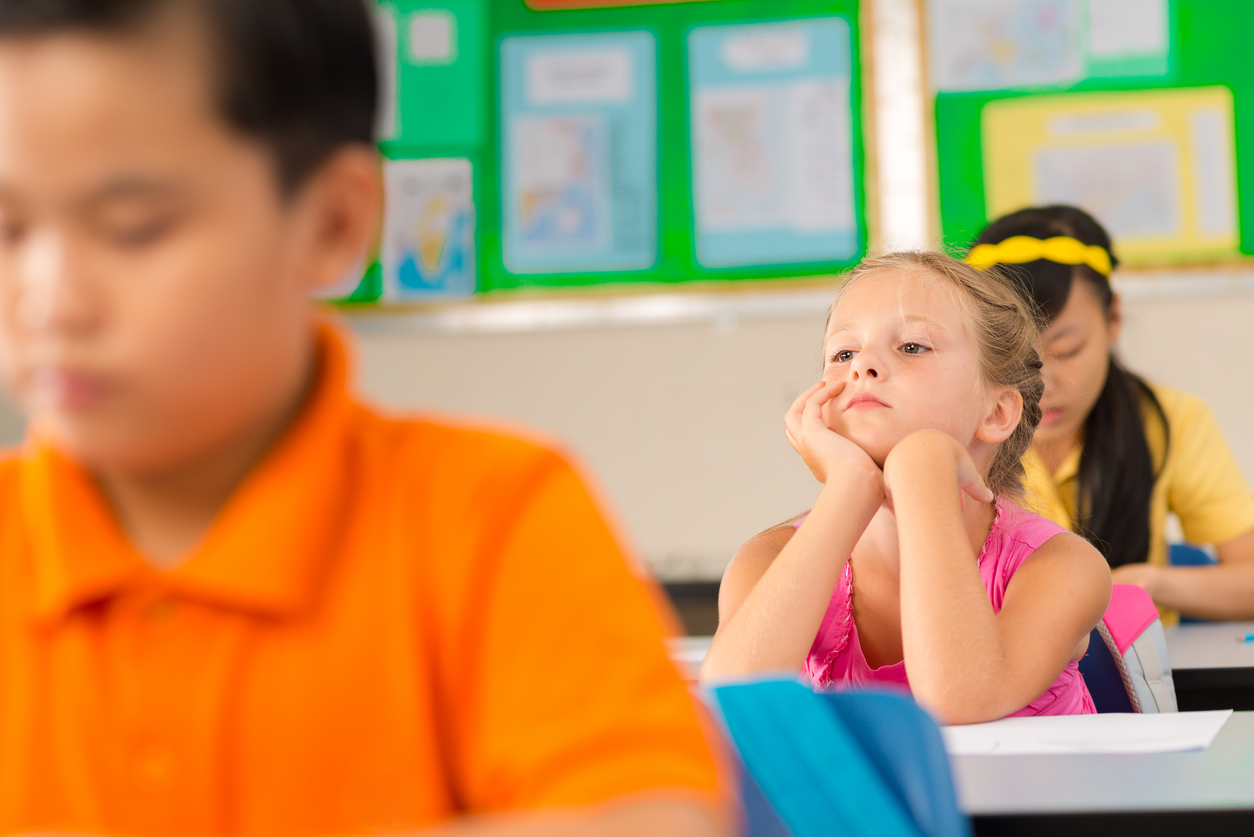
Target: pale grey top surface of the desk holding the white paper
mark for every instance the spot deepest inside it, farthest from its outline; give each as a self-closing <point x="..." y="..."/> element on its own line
<point x="1218" y="777"/>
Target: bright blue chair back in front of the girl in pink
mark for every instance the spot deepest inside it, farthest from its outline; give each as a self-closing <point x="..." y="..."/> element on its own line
<point x="858" y="764"/>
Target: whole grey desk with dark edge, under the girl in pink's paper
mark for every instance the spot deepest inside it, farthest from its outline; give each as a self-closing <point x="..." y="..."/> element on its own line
<point x="1208" y="792"/>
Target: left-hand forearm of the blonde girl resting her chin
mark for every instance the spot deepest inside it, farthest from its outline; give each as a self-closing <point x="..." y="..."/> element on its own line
<point x="776" y="627"/>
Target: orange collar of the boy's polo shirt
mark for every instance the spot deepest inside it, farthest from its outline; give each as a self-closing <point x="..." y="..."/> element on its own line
<point x="263" y="553"/>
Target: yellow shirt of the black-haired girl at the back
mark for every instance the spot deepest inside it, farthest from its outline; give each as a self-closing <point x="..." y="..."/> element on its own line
<point x="1201" y="481"/>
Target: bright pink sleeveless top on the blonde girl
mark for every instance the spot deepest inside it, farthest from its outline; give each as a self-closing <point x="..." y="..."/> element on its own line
<point x="837" y="658"/>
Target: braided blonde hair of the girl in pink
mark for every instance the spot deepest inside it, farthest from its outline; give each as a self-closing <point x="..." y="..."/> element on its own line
<point x="1005" y="331"/>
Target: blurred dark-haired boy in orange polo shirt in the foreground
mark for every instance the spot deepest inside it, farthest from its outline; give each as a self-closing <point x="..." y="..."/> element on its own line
<point x="234" y="599"/>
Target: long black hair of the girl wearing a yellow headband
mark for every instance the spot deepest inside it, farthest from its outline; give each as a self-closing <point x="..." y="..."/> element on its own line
<point x="1117" y="469"/>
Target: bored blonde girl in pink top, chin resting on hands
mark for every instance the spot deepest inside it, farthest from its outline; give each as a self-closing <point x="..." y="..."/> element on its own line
<point x="914" y="569"/>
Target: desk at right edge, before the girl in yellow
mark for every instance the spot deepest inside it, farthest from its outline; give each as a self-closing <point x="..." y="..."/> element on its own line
<point x="1212" y="671"/>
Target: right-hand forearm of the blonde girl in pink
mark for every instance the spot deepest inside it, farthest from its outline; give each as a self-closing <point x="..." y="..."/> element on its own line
<point x="955" y="653"/>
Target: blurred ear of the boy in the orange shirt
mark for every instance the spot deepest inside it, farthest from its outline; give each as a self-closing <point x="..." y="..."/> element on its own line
<point x="344" y="205"/>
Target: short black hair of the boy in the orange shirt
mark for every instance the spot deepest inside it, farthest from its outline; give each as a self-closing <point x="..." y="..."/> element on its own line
<point x="299" y="76"/>
